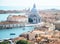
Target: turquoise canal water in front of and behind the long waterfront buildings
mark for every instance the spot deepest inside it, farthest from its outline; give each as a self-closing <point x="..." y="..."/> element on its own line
<point x="6" y="33"/>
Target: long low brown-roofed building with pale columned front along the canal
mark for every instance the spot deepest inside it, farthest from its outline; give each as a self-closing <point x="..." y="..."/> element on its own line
<point x="9" y="24"/>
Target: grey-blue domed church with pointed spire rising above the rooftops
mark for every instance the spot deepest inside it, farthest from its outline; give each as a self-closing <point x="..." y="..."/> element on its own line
<point x="33" y="16"/>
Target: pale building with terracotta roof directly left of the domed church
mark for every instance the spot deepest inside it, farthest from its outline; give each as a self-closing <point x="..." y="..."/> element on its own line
<point x="18" y="18"/>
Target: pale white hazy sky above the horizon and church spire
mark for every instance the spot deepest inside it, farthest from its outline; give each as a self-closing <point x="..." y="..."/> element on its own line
<point x="44" y="4"/>
